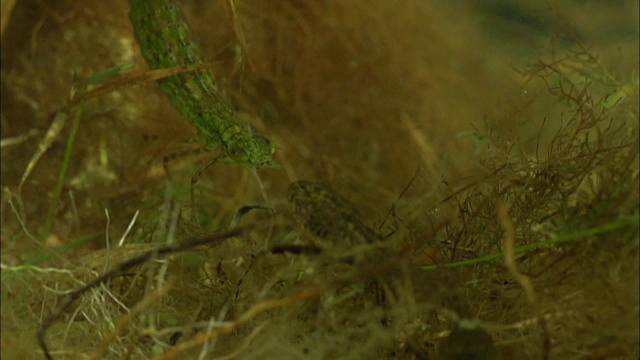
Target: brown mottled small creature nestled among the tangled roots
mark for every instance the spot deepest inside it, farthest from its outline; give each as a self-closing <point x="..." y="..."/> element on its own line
<point x="328" y="215"/>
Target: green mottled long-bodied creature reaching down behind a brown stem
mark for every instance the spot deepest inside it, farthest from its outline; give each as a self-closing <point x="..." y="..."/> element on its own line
<point x="167" y="40"/>
